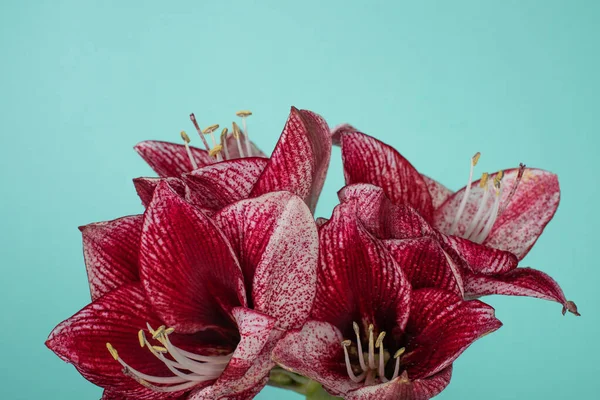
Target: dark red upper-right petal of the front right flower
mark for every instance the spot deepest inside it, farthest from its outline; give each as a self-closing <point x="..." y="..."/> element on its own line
<point x="425" y="264"/>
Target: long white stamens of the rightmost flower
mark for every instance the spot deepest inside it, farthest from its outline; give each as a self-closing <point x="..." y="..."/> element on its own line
<point x="488" y="211"/>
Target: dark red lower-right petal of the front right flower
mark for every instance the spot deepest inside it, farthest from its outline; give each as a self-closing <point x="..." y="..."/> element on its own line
<point x="441" y="327"/>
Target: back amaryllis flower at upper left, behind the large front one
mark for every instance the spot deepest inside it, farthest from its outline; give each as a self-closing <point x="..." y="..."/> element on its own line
<point x="235" y="169"/>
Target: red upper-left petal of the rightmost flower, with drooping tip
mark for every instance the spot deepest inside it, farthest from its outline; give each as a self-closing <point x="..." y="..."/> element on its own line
<point x="367" y="160"/>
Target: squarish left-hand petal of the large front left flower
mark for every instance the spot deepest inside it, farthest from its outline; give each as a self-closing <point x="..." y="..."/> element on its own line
<point x="111" y="250"/>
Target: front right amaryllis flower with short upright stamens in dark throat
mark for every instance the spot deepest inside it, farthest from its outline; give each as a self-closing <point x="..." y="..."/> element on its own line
<point x="371" y="336"/>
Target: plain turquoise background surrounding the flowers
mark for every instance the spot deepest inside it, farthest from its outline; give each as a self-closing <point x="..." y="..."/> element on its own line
<point x="82" y="82"/>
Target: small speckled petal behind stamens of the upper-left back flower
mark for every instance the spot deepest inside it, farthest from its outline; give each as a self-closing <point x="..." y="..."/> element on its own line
<point x="171" y="159"/>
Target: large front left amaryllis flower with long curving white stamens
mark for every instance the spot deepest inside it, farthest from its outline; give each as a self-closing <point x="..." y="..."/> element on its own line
<point x="187" y="306"/>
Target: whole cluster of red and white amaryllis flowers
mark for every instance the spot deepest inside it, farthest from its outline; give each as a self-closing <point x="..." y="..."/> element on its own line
<point x="227" y="283"/>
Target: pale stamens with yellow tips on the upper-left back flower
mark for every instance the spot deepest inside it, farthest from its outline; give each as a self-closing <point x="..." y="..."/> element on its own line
<point x="220" y="151"/>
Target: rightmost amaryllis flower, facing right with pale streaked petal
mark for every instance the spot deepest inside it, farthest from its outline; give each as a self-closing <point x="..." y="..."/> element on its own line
<point x="481" y="225"/>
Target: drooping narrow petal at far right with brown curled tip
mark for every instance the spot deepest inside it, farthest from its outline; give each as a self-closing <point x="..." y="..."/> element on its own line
<point x="519" y="282"/>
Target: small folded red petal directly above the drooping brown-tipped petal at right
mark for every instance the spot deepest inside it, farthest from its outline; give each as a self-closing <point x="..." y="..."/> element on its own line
<point x="479" y="258"/>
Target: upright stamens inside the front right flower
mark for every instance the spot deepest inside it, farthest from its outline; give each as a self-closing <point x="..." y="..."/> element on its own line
<point x="370" y="365"/>
